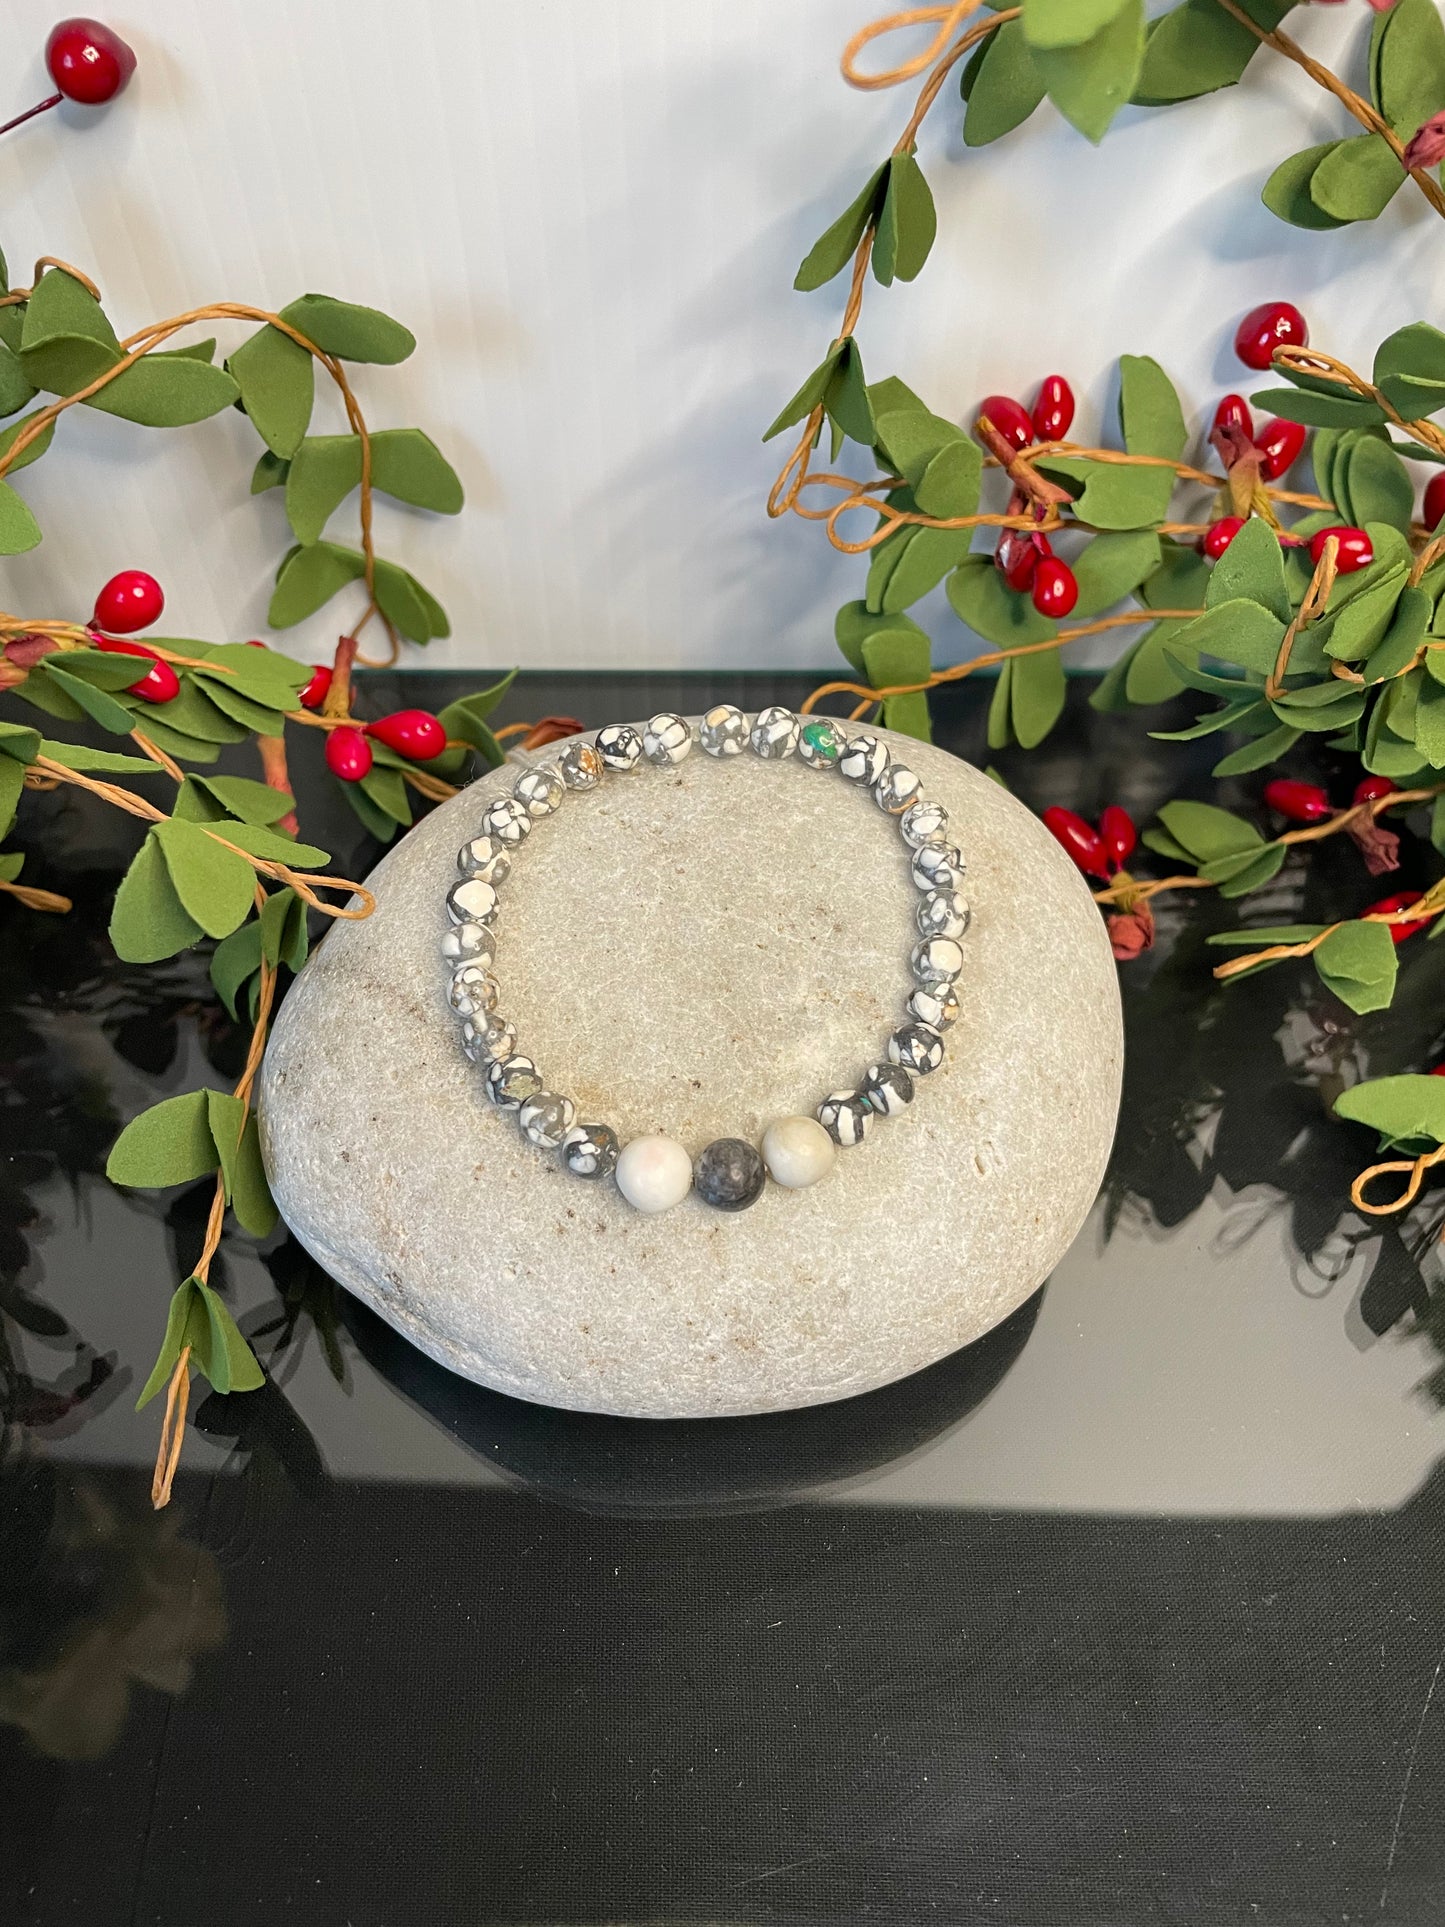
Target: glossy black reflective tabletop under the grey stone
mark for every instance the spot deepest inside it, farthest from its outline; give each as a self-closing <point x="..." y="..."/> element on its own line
<point x="1128" y="1616"/>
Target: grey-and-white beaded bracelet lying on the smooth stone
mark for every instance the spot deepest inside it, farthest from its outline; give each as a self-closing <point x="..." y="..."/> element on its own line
<point x="656" y="1173"/>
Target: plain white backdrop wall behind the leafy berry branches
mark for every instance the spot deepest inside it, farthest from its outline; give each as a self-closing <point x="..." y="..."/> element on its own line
<point x="591" y="213"/>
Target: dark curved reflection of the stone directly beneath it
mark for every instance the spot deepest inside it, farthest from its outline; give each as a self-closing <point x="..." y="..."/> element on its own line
<point x="656" y="1467"/>
